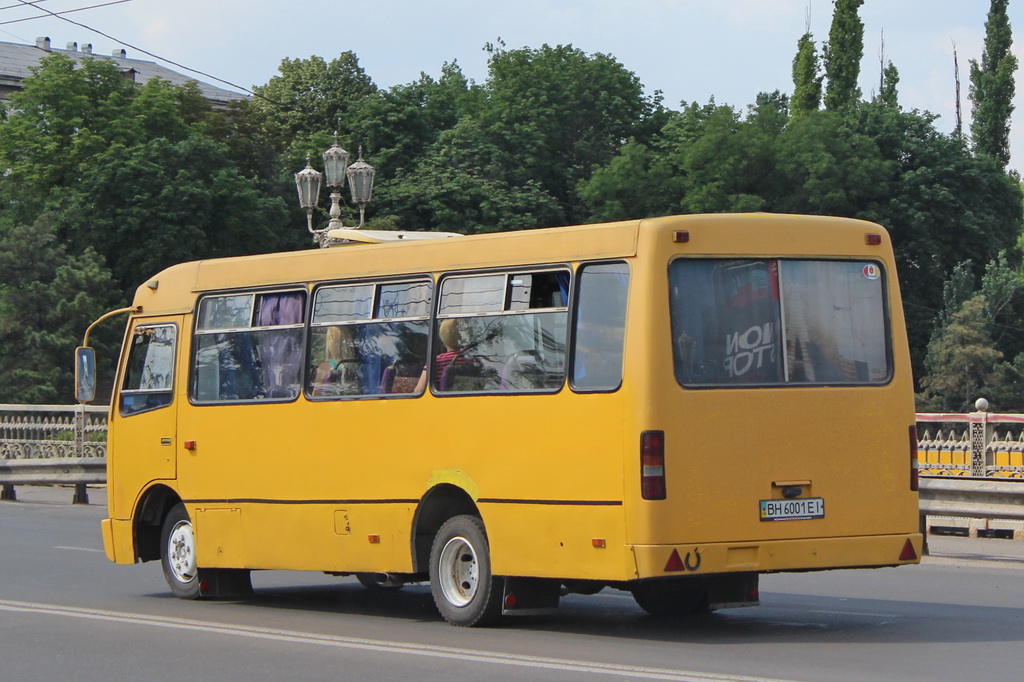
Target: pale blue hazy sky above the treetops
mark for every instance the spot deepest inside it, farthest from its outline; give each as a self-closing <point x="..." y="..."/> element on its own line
<point x="692" y="51"/>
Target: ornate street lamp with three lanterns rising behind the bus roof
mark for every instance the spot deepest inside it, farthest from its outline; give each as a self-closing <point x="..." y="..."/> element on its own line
<point x="336" y="170"/>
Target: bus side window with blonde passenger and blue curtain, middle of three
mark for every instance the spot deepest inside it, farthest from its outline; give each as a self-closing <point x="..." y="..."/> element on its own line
<point x="369" y="339"/>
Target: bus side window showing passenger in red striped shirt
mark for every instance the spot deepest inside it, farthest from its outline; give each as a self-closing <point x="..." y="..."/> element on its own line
<point x="502" y="333"/>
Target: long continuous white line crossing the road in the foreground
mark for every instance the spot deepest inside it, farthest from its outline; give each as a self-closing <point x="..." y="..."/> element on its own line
<point x="377" y="646"/>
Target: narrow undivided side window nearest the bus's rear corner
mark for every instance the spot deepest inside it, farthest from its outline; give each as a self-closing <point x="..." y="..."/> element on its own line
<point x="601" y="327"/>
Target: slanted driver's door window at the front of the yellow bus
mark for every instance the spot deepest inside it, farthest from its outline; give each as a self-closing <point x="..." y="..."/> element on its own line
<point x="149" y="382"/>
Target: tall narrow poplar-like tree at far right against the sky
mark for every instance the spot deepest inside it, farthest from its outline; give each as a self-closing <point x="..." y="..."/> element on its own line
<point x="993" y="88"/>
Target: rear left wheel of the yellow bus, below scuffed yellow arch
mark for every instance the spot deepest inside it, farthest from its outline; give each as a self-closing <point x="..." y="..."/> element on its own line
<point x="464" y="590"/>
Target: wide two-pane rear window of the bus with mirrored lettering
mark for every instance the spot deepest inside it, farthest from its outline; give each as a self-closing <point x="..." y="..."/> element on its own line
<point x="744" y="323"/>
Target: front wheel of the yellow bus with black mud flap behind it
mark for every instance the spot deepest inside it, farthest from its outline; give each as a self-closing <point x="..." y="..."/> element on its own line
<point x="187" y="580"/>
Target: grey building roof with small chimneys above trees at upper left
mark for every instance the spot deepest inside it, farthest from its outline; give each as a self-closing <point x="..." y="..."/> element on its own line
<point x="17" y="62"/>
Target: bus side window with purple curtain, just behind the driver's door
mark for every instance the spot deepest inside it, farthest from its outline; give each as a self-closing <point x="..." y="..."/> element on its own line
<point x="249" y="348"/>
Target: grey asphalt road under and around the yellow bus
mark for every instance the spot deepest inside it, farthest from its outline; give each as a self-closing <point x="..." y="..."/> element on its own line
<point x="68" y="614"/>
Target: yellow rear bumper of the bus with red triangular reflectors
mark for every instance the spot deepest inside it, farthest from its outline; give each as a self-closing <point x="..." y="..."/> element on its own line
<point x="778" y="556"/>
